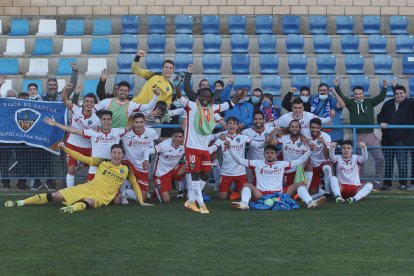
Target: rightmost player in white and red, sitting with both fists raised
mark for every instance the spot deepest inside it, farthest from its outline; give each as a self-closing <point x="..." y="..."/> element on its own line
<point x="347" y="184"/>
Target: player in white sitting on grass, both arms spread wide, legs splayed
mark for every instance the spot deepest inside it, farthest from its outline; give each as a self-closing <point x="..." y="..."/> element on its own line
<point x="269" y="178"/>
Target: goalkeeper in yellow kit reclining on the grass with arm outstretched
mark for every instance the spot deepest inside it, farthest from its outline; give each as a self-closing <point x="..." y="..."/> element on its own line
<point x="99" y="192"/>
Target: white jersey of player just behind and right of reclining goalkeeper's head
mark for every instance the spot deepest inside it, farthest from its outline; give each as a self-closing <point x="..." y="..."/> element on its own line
<point x="135" y="145"/>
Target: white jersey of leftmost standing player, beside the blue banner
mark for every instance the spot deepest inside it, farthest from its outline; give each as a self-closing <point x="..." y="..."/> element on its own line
<point x="82" y="122"/>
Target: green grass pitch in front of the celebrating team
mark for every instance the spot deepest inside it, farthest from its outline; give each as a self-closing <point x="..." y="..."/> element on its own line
<point x="374" y="236"/>
